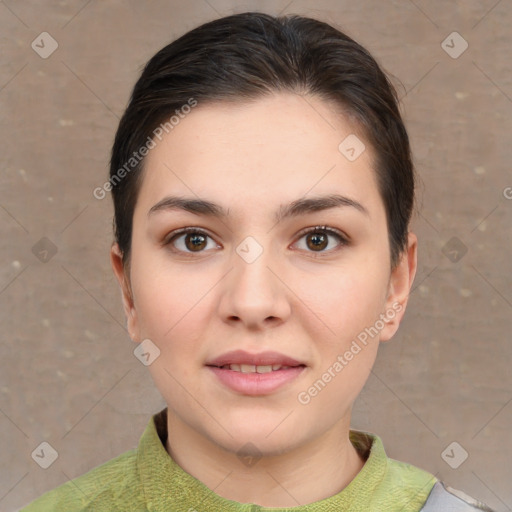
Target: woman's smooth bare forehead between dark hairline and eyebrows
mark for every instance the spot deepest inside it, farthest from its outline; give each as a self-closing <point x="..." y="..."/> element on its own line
<point x="278" y="147"/>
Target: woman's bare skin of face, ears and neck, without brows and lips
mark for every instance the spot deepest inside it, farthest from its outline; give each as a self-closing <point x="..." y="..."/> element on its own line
<point x="304" y="302"/>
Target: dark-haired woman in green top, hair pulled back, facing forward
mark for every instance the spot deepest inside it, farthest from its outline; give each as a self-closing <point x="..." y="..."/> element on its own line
<point x="263" y="187"/>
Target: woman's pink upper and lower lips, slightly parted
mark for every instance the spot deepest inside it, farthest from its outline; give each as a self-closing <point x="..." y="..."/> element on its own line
<point x="255" y="384"/>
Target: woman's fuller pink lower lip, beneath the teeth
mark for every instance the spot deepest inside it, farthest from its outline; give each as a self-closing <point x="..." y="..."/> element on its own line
<point x="255" y="384"/>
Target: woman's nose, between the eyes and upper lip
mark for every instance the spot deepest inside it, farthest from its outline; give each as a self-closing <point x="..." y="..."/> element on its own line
<point x="253" y="292"/>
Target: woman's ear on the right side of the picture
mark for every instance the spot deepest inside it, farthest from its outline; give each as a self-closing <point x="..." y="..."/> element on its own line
<point x="400" y="282"/>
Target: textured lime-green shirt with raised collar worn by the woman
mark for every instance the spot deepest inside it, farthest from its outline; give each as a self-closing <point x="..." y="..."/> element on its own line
<point x="148" y="479"/>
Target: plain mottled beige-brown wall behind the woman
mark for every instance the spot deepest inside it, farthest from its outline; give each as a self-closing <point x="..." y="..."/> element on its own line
<point x="67" y="372"/>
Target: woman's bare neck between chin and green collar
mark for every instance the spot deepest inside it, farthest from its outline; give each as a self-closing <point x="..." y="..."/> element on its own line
<point x="311" y="472"/>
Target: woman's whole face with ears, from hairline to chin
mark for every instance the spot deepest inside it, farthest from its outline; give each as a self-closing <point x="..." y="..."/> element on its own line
<point x="257" y="277"/>
